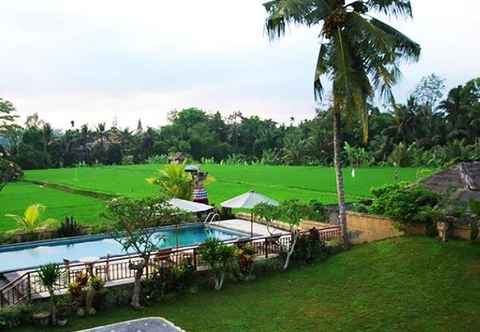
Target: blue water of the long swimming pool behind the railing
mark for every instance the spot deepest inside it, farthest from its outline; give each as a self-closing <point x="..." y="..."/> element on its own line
<point x="22" y="256"/>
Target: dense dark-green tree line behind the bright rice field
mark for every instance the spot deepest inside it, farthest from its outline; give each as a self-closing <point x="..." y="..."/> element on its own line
<point x="430" y="129"/>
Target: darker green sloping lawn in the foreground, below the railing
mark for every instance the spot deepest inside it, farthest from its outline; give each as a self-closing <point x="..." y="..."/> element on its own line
<point x="403" y="284"/>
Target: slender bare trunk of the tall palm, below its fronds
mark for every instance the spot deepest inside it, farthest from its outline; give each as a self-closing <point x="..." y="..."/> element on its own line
<point x="342" y="216"/>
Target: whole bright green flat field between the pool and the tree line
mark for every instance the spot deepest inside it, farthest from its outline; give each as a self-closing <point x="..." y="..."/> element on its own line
<point x="279" y="182"/>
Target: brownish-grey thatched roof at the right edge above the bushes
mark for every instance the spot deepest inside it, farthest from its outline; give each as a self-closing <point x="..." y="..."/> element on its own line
<point x="463" y="179"/>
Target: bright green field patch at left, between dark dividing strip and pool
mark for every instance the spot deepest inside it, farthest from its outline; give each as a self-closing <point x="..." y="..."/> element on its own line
<point x="15" y="197"/>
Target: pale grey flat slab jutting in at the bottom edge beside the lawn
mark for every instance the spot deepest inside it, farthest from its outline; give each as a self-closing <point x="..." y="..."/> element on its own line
<point x="152" y="324"/>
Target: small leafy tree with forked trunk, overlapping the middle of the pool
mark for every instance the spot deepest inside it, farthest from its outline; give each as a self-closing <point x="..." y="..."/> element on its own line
<point x="133" y="221"/>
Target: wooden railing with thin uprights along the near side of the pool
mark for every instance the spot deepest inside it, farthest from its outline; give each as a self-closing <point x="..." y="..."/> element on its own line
<point x="115" y="270"/>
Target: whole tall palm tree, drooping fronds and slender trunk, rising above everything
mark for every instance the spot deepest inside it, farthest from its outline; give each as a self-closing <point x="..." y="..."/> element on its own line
<point x="359" y="53"/>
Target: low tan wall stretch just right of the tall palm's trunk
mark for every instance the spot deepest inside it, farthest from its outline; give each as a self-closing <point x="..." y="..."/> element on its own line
<point x="366" y="228"/>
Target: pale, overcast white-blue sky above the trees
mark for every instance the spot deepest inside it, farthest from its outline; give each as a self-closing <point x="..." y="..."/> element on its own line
<point x="95" y="61"/>
